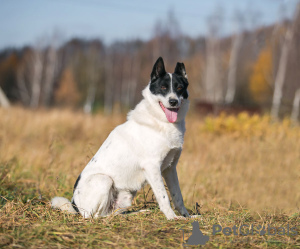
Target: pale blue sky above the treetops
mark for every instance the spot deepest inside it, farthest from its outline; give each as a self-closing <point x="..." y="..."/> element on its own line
<point x="25" y="22"/>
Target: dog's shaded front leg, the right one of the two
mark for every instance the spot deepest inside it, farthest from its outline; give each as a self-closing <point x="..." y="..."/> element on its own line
<point x="171" y="178"/>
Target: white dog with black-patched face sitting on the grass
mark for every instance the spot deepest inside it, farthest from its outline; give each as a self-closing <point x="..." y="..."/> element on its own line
<point x="144" y="149"/>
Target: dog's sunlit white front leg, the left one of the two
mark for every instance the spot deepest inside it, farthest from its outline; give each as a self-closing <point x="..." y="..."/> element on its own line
<point x="154" y="178"/>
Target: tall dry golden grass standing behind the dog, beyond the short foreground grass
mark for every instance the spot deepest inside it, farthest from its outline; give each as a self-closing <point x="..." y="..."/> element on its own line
<point x="247" y="161"/>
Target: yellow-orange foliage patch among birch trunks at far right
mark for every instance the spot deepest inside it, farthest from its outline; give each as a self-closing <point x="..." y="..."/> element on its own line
<point x="260" y="80"/>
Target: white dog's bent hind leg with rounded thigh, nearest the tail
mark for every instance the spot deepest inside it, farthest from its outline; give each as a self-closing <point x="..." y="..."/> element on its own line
<point x="94" y="196"/>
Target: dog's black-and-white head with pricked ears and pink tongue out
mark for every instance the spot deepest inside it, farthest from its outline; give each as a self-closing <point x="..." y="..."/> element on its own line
<point x="170" y="89"/>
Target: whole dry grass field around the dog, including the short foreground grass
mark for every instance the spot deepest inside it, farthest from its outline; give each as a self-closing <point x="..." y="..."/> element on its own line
<point x="240" y="170"/>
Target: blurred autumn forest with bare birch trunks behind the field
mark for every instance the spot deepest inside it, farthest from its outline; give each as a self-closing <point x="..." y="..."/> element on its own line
<point x="254" y="68"/>
